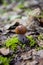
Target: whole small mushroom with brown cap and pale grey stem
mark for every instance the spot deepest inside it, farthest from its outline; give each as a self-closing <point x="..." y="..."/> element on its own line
<point x="21" y="30"/>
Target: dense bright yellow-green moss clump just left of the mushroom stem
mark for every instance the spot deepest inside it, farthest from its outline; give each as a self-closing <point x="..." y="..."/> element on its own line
<point x="12" y="43"/>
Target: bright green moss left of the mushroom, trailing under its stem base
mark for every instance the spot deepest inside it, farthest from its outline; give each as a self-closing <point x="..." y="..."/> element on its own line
<point x="13" y="42"/>
